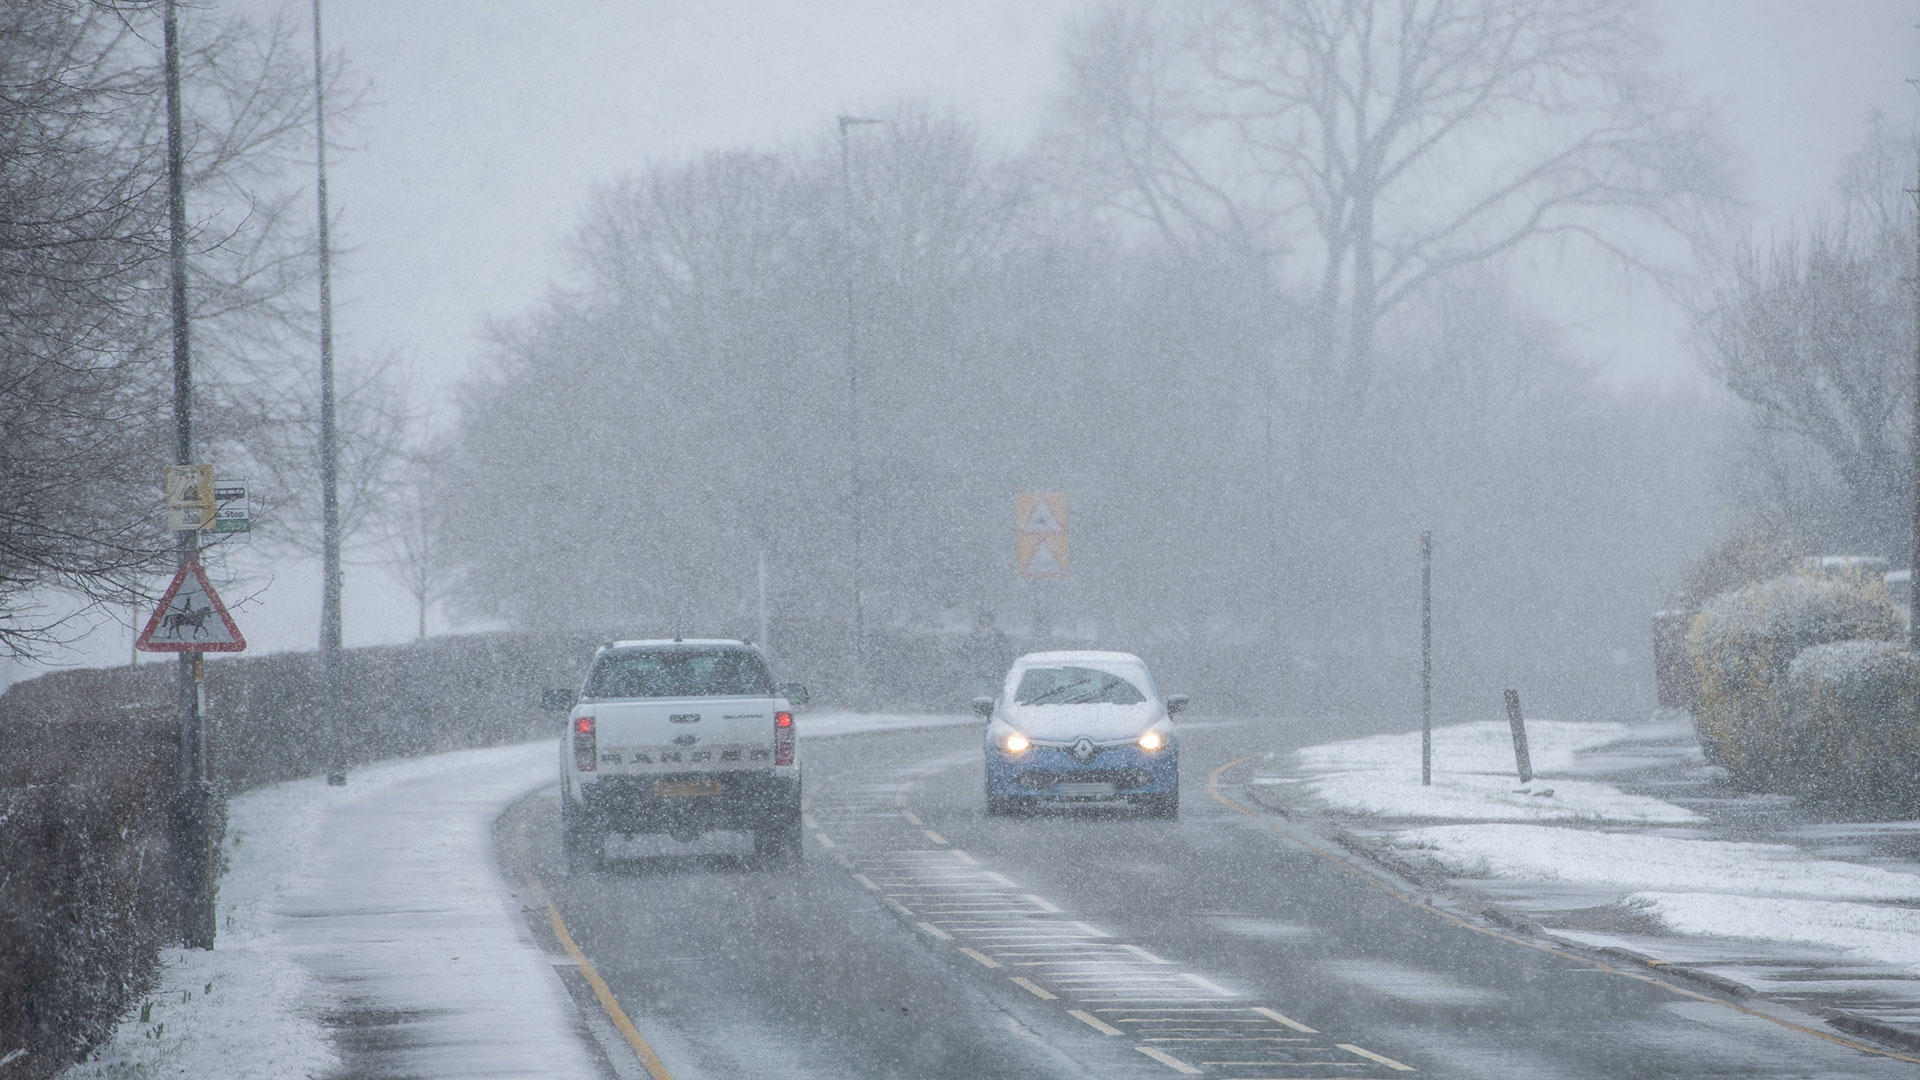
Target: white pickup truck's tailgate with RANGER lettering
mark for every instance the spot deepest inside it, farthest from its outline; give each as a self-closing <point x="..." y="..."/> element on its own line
<point x="677" y="735"/>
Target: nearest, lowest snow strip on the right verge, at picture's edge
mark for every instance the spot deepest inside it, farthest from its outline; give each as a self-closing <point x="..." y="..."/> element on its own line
<point x="1861" y="931"/>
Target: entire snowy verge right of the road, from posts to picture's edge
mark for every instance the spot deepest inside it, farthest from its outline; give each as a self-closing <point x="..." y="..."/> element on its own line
<point x="1593" y="845"/>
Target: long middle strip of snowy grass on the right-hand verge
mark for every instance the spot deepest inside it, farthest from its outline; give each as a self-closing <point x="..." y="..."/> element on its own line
<point x="1637" y="862"/>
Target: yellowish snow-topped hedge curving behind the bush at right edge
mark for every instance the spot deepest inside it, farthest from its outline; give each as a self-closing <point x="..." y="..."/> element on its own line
<point x="1744" y="643"/>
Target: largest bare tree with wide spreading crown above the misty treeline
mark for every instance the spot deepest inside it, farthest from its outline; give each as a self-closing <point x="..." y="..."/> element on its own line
<point x="1370" y="147"/>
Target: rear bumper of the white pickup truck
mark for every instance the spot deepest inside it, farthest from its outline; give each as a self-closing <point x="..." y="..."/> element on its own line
<point x="746" y="802"/>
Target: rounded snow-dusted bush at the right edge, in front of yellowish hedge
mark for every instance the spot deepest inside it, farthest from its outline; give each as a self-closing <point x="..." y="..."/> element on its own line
<point x="1852" y="733"/>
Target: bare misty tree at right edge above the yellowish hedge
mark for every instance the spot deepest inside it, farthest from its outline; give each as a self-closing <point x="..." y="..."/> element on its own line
<point x="1815" y="335"/>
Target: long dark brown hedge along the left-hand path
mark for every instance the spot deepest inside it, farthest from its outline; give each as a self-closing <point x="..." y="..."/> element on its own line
<point x="89" y="758"/>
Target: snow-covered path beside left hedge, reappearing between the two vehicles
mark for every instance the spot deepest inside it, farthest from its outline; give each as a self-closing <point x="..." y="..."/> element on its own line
<point x="373" y="902"/>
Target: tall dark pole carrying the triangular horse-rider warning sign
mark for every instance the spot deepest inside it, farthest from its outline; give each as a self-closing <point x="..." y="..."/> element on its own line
<point x="193" y="843"/>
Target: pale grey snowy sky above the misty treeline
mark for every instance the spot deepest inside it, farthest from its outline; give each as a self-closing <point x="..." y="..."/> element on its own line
<point x="491" y="122"/>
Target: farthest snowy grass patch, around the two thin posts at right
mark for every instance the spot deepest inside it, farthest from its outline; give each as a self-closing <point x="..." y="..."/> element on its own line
<point x="1474" y="777"/>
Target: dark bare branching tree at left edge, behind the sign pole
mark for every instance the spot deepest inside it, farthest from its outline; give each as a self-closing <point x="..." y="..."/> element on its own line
<point x="84" y="272"/>
